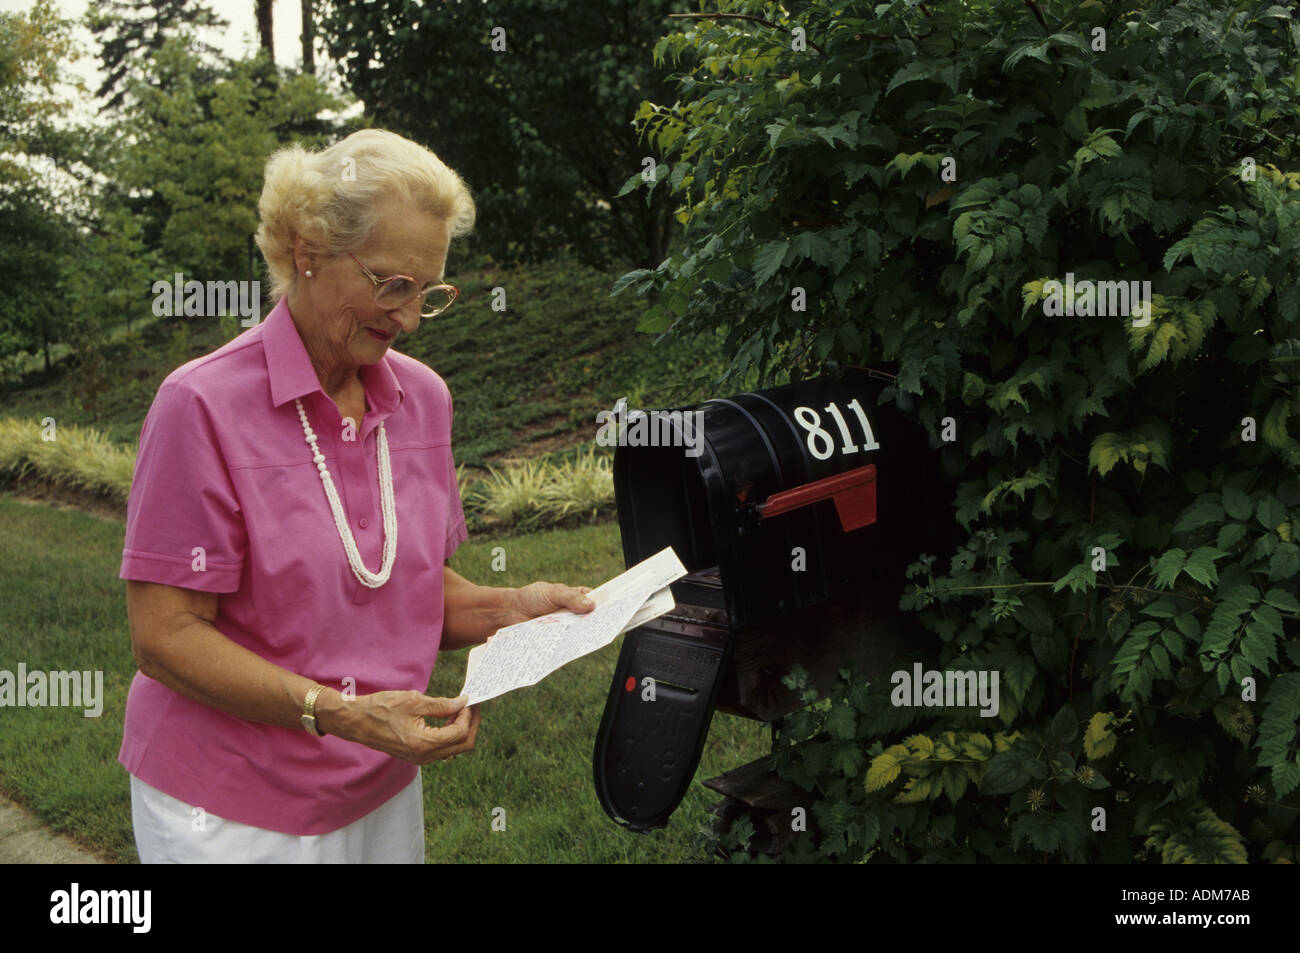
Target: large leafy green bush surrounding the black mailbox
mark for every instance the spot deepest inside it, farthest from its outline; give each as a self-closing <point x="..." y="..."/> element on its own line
<point x="1128" y="488"/>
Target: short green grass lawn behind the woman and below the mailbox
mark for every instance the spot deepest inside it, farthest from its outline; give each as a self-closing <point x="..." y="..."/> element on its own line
<point x="63" y="608"/>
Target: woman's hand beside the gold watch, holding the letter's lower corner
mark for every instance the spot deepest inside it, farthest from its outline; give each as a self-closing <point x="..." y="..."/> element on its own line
<point x="395" y="724"/>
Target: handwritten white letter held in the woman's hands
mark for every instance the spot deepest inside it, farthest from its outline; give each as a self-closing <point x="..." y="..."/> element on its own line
<point x="526" y="653"/>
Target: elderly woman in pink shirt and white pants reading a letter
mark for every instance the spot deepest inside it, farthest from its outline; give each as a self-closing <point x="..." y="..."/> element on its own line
<point x="288" y="535"/>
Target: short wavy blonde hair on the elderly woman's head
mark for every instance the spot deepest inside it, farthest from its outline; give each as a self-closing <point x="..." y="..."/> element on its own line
<point x="331" y="198"/>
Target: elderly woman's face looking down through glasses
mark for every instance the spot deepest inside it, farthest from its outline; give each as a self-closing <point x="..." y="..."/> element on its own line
<point x="343" y="326"/>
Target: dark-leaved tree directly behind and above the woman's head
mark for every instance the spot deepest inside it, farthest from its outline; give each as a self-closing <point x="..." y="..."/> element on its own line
<point x="532" y="105"/>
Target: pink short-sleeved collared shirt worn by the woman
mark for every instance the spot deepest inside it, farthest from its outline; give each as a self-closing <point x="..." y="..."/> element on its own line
<point x="227" y="500"/>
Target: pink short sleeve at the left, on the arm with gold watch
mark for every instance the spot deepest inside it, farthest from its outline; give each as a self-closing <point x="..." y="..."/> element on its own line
<point x="184" y="523"/>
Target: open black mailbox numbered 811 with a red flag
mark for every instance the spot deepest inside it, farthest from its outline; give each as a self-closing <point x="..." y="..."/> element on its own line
<point x="795" y="517"/>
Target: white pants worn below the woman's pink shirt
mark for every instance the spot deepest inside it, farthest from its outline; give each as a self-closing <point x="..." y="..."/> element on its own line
<point x="170" y="831"/>
